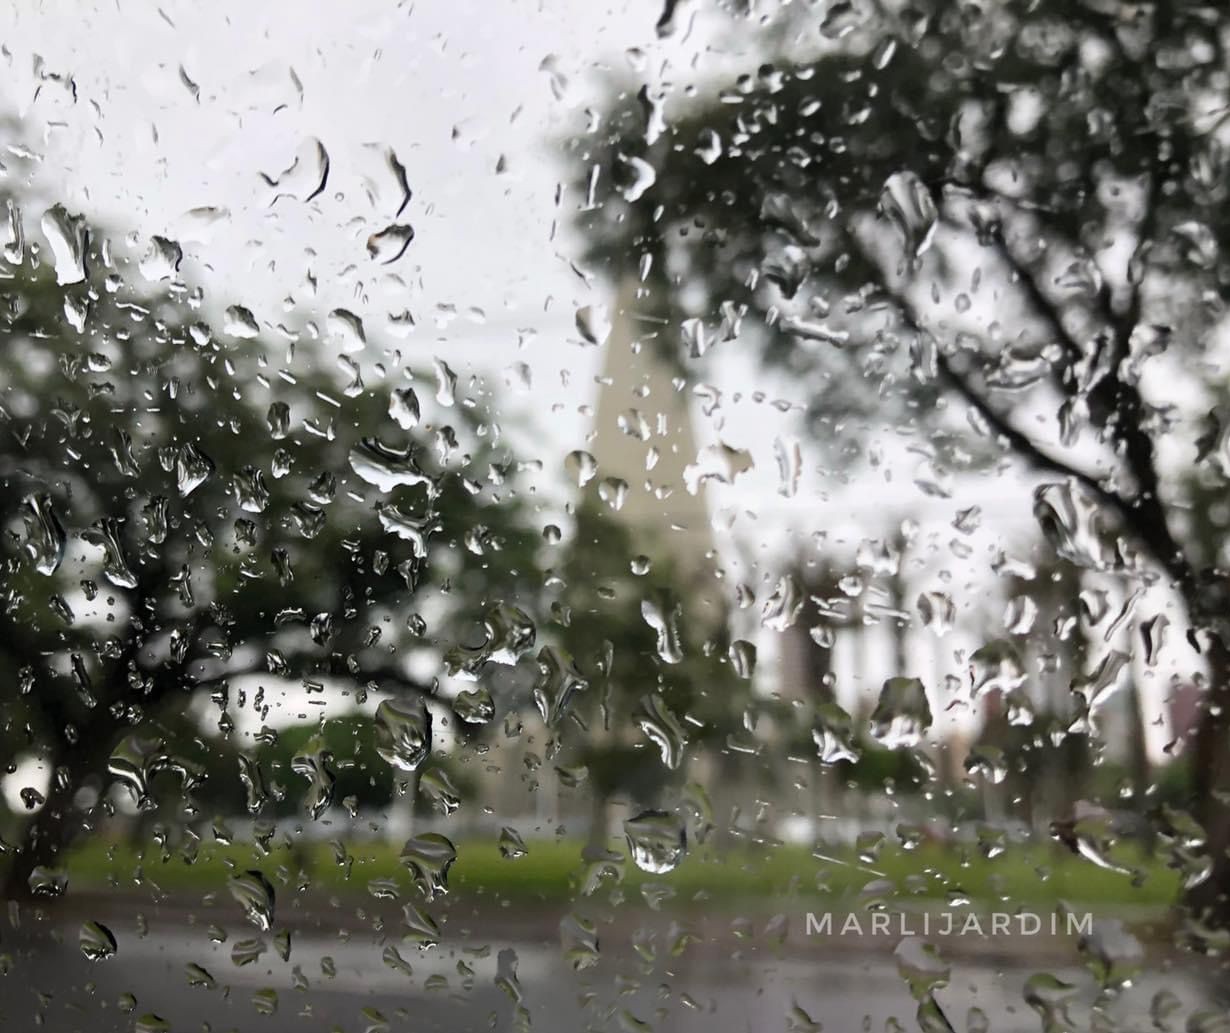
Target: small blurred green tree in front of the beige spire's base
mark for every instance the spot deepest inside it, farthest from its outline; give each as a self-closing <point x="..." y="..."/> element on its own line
<point x="661" y="687"/>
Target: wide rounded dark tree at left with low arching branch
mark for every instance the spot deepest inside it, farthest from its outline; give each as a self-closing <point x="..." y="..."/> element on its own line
<point x="194" y="510"/>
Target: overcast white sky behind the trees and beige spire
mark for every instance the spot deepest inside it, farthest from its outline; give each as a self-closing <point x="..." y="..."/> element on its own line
<point x="469" y="94"/>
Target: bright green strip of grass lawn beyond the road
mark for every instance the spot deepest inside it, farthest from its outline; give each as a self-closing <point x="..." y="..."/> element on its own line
<point x="553" y="871"/>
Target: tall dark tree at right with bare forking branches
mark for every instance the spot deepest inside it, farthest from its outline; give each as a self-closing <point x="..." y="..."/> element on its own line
<point x="1001" y="227"/>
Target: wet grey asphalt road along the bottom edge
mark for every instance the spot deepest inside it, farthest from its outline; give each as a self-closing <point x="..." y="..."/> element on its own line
<point x="340" y="981"/>
